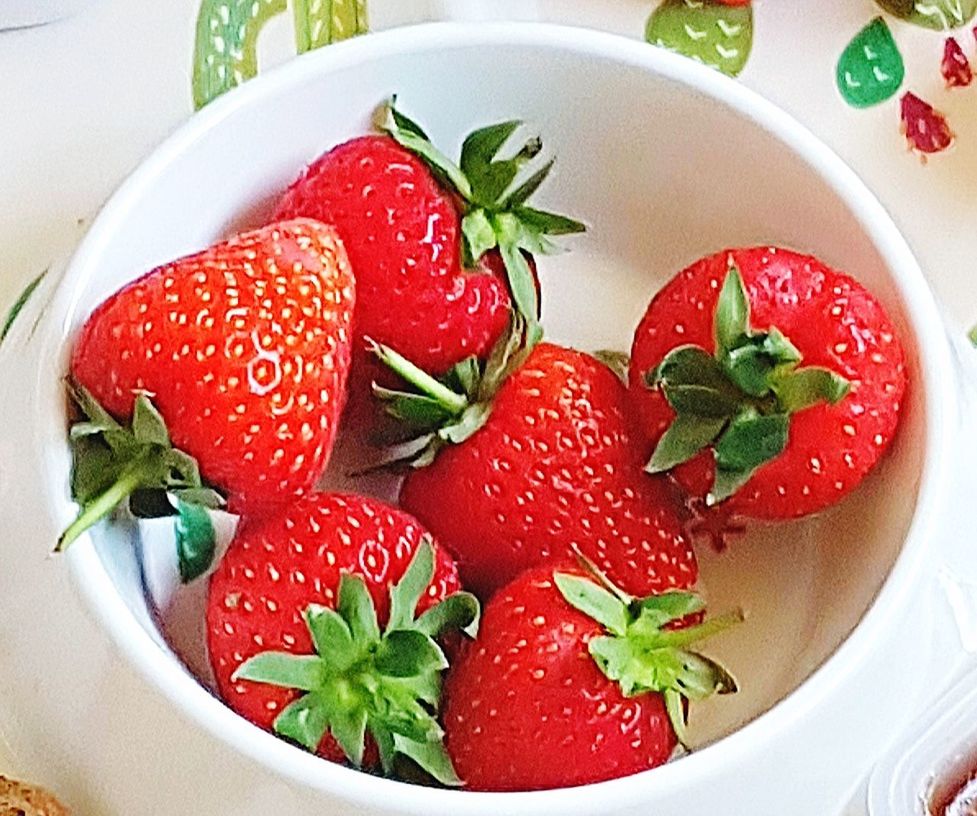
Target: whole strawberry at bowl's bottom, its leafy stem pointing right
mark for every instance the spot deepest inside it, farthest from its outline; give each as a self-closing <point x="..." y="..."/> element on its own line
<point x="570" y="683"/>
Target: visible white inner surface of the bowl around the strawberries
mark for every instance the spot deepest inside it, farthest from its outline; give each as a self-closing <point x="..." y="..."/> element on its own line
<point x="663" y="171"/>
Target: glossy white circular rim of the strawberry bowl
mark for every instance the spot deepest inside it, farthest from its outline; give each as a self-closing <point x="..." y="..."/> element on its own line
<point x="287" y="761"/>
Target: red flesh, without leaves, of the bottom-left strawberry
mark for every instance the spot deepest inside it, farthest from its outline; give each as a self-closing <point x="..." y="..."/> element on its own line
<point x="278" y="565"/>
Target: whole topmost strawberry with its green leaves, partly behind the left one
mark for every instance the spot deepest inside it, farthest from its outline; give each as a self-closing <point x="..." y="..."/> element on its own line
<point x="416" y="226"/>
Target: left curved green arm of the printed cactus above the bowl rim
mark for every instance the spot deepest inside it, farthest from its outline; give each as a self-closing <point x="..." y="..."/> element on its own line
<point x="225" y="50"/>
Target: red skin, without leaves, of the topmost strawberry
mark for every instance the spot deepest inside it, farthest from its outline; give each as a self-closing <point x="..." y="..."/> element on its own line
<point x="402" y="232"/>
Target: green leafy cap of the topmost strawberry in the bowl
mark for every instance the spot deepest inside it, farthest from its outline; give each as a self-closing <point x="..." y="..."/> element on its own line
<point x="494" y="192"/>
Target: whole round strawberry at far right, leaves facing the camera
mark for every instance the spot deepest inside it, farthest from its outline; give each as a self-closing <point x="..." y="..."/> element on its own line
<point x="717" y="379"/>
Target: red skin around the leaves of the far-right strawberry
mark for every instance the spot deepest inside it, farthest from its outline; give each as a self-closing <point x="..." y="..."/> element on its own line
<point x="835" y="323"/>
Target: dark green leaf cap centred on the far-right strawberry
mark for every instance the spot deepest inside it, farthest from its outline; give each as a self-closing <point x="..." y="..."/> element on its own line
<point x="739" y="400"/>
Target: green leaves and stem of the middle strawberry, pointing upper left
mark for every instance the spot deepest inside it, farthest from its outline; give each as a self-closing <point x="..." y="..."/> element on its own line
<point x="447" y="410"/>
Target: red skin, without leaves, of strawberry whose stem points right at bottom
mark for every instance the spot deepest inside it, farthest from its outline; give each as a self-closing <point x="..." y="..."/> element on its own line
<point x="526" y="707"/>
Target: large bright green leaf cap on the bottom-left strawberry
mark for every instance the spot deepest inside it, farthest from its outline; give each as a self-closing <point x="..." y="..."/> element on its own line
<point x="363" y="680"/>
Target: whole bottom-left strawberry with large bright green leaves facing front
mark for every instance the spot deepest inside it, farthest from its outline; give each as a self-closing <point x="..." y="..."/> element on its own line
<point x="296" y="605"/>
